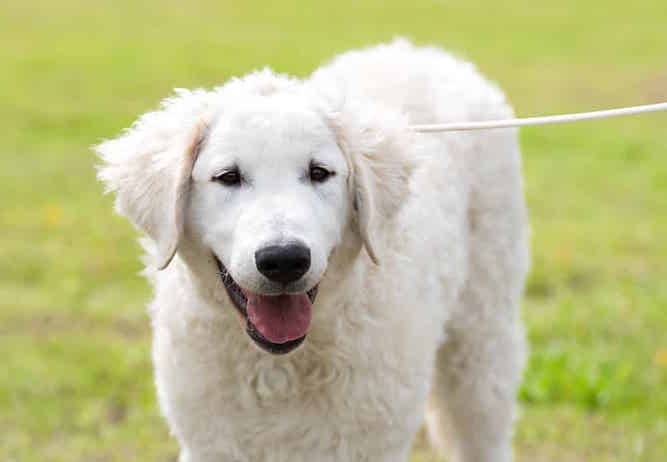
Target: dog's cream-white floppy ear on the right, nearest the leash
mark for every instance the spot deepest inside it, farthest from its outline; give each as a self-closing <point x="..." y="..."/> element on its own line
<point x="379" y="150"/>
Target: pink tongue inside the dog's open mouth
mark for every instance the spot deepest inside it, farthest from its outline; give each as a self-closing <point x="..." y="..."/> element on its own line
<point x="279" y="318"/>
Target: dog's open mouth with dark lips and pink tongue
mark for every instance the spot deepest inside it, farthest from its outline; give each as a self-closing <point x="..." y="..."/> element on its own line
<point x="276" y="323"/>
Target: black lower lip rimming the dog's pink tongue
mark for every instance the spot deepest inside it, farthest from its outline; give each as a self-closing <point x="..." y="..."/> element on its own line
<point x="240" y="302"/>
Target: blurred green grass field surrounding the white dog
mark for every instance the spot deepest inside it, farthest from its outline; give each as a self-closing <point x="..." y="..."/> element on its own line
<point x="75" y="380"/>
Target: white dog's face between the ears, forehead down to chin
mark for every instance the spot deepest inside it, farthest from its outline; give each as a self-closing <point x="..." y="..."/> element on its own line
<point x="270" y="199"/>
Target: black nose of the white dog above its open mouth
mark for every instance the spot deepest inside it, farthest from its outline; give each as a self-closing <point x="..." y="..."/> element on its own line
<point x="283" y="263"/>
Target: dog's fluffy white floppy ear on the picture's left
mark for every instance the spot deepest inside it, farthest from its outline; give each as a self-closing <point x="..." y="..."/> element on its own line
<point x="149" y="169"/>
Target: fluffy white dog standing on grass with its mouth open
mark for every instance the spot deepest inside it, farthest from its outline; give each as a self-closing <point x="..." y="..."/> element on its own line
<point x="324" y="276"/>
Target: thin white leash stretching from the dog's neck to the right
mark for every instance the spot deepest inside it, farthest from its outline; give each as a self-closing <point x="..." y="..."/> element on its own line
<point x="555" y="119"/>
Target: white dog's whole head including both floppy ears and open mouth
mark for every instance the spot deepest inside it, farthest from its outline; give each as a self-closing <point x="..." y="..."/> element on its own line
<point x="257" y="185"/>
